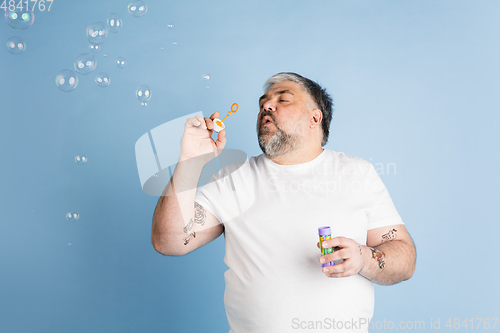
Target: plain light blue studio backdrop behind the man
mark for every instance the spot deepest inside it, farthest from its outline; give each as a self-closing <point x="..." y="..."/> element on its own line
<point x="415" y="86"/>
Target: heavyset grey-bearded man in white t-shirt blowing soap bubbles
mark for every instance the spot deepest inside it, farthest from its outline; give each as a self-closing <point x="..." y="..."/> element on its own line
<point x="270" y="211"/>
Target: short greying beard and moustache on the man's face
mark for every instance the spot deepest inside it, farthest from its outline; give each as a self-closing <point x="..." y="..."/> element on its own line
<point x="280" y="142"/>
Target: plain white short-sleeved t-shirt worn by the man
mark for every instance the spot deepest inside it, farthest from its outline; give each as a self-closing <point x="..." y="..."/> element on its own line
<point x="271" y="214"/>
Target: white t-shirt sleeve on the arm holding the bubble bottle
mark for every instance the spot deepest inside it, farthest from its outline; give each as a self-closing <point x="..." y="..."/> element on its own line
<point x="381" y="212"/>
